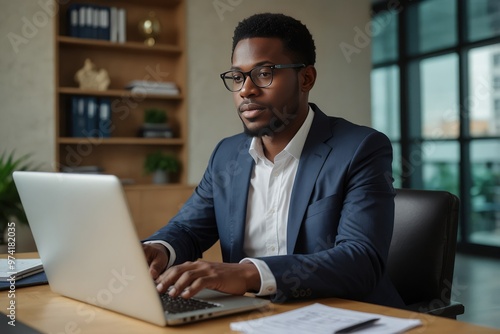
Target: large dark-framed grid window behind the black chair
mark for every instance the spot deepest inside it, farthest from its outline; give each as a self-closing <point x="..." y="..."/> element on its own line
<point x="436" y="94"/>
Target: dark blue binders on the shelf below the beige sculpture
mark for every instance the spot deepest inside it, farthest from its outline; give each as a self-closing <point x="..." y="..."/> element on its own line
<point x="90" y="117"/>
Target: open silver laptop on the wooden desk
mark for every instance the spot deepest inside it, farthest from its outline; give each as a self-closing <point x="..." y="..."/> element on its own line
<point x="90" y="250"/>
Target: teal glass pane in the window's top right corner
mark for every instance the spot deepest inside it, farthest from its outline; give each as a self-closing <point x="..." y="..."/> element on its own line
<point x="483" y="19"/>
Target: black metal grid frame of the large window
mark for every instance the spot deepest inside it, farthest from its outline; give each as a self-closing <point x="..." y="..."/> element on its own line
<point x="410" y="108"/>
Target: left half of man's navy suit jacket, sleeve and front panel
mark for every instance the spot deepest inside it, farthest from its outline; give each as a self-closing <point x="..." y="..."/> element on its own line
<point x="209" y="210"/>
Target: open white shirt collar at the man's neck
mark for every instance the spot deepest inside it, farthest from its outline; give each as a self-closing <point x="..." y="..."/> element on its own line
<point x="294" y="147"/>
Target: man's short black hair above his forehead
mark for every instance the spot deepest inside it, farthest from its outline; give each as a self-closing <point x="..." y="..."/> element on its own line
<point x="295" y="36"/>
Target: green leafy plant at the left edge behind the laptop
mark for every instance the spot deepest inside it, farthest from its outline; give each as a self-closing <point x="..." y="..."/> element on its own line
<point x="11" y="208"/>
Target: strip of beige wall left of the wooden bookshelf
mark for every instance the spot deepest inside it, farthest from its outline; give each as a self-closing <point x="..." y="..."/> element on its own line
<point x="27" y="80"/>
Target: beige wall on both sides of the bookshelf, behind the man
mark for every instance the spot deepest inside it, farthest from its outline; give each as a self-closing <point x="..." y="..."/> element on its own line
<point x="27" y="81"/>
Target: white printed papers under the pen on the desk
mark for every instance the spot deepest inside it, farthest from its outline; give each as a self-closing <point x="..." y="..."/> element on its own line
<point x="319" y="318"/>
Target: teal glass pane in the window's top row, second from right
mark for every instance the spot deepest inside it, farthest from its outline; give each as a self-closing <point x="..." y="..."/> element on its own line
<point x="431" y="26"/>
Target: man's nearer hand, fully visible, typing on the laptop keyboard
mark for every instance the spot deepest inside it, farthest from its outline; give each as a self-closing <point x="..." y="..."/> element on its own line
<point x="189" y="278"/>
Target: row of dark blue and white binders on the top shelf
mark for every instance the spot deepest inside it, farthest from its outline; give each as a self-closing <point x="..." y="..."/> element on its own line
<point x="97" y="22"/>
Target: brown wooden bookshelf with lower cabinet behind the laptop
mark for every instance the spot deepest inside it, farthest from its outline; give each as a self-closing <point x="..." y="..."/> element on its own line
<point x="124" y="152"/>
